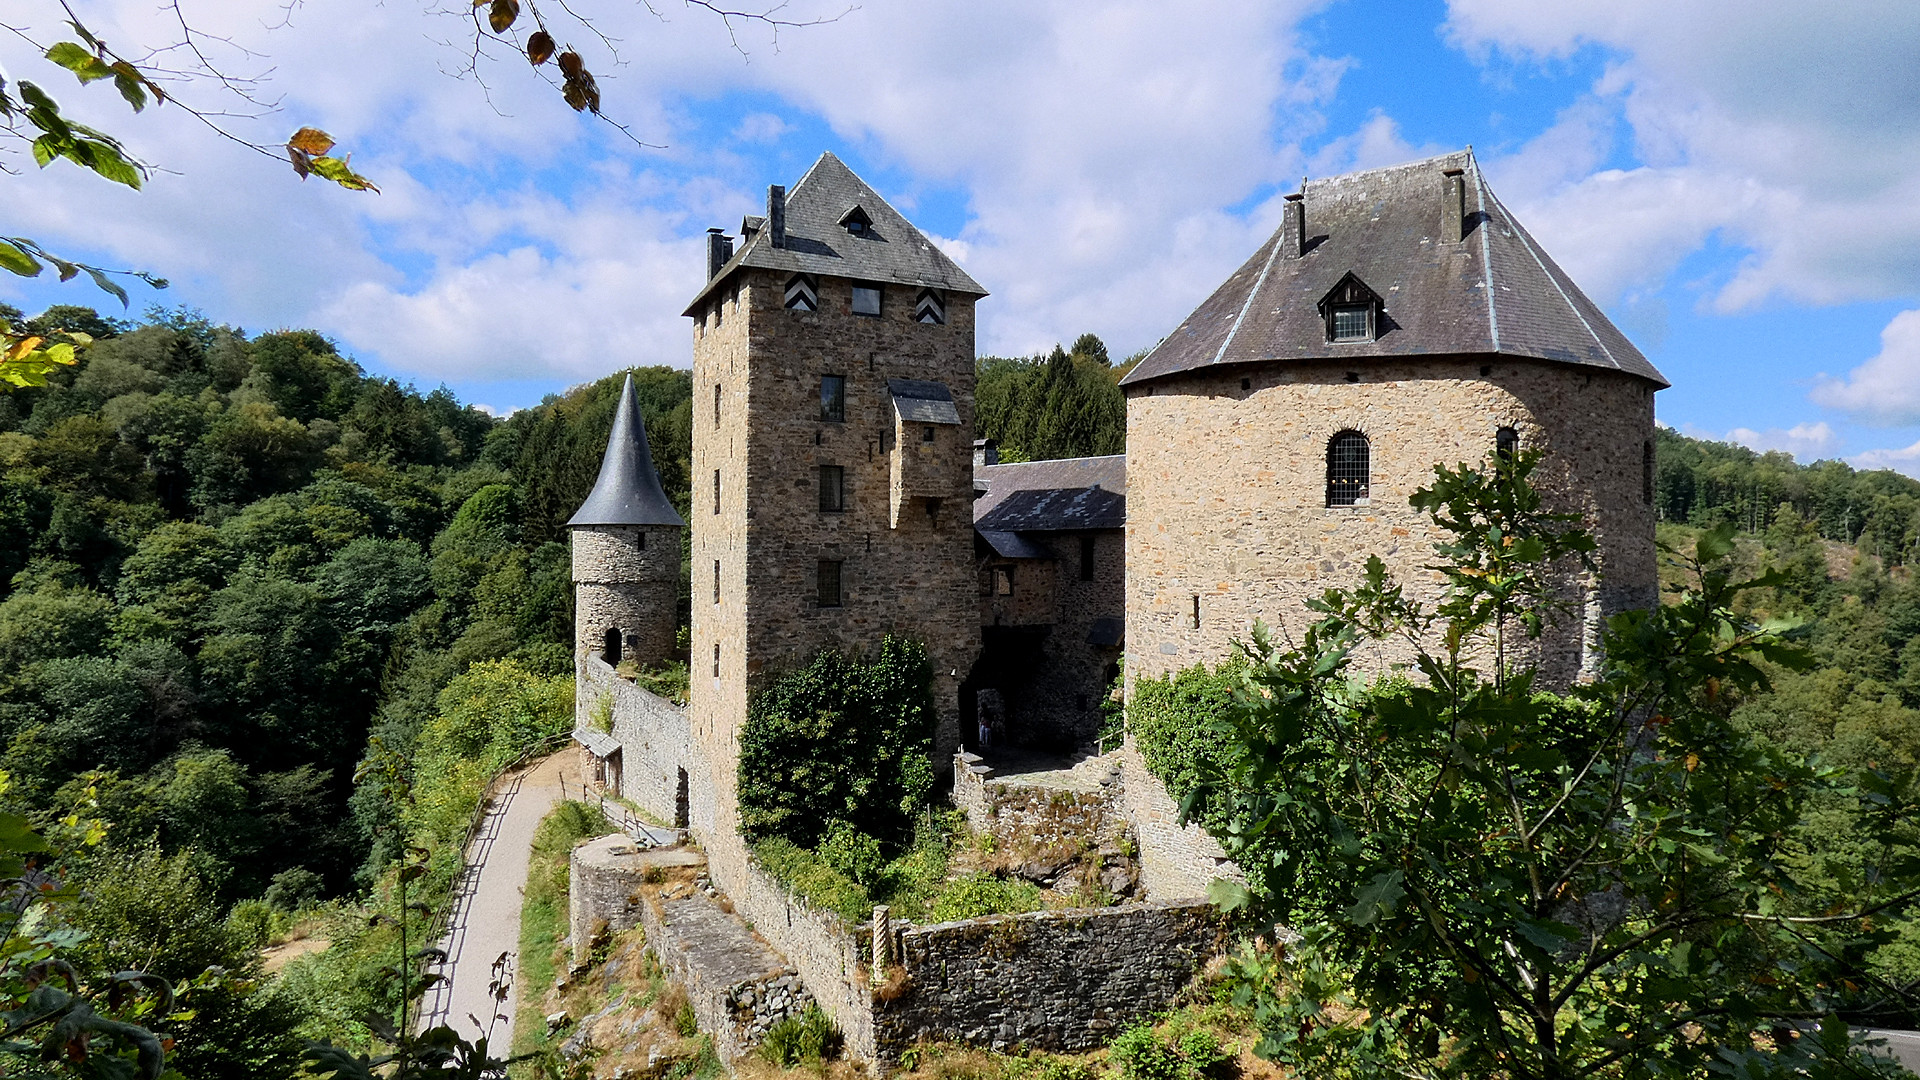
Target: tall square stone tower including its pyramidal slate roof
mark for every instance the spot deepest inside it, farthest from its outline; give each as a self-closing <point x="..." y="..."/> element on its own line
<point x="832" y="462"/>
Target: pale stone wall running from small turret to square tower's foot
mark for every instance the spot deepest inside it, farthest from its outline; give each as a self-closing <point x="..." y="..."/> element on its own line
<point x="656" y="741"/>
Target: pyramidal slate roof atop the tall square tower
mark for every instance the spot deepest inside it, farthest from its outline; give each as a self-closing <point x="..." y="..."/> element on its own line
<point x="817" y="243"/>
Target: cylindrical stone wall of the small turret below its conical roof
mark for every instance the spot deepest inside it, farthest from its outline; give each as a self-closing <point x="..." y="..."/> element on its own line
<point x="627" y="579"/>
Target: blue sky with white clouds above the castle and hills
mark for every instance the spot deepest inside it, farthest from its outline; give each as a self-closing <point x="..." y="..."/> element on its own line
<point x="1739" y="187"/>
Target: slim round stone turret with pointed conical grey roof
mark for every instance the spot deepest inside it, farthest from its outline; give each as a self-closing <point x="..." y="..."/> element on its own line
<point x="627" y="552"/>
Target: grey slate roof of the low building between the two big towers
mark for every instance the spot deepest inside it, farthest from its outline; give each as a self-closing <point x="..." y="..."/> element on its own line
<point x="1053" y="497"/>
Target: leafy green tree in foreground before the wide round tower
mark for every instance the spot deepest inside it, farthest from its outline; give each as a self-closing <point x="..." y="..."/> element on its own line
<point x="1489" y="879"/>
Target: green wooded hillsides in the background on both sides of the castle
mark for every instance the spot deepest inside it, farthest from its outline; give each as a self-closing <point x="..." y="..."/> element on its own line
<point x="268" y="624"/>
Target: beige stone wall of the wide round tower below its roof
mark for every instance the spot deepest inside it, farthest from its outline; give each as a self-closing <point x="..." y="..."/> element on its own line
<point x="1226" y="491"/>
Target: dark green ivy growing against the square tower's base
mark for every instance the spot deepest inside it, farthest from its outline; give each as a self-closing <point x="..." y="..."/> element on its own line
<point x="840" y="741"/>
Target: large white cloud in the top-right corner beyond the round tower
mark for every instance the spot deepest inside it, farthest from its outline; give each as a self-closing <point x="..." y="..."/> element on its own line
<point x="1785" y="128"/>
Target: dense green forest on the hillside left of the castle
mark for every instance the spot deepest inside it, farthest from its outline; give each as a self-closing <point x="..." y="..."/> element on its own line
<point x="266" y="624"/>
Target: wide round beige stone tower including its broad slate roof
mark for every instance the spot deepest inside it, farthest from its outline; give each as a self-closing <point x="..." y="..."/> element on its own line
<point x="1401" y="318"/>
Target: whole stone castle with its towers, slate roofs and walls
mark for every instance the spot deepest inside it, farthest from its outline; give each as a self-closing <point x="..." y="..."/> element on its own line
<point x="1401" y="318"/>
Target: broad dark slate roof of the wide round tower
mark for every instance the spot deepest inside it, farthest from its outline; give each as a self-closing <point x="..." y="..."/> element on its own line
<point x="1493" y="293"/>
